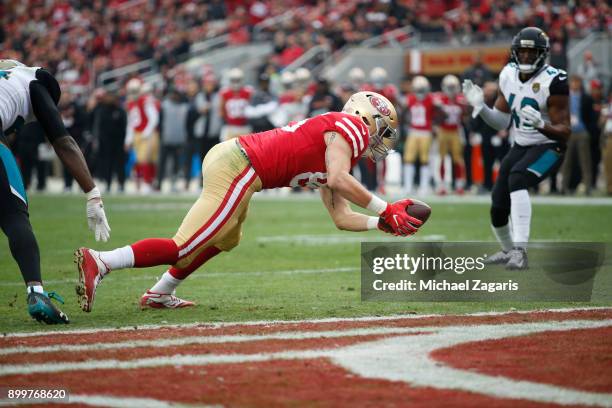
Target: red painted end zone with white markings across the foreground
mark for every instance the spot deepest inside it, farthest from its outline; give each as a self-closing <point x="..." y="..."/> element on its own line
<point x="537" y="358"/>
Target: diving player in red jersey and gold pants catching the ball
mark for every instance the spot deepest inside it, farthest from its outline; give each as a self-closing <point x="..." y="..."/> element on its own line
<point x="318" y="152"/>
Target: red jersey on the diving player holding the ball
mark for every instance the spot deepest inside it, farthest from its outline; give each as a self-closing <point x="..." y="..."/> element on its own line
<point x="294" y="155"/>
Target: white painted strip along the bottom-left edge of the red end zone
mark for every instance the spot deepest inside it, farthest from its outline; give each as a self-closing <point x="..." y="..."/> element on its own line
<point x="109" y="401"/>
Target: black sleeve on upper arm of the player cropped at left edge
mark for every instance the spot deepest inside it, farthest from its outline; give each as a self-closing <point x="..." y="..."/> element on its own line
<point x="46" y="111"/>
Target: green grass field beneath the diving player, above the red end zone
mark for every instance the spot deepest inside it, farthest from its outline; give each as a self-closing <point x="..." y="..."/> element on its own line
<point x="291" y="264"/>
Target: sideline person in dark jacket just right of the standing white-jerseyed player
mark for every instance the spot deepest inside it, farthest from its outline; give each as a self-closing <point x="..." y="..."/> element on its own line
<point x="582" y="119"/>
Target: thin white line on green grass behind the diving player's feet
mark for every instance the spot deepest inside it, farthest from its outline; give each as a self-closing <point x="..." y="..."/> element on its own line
<point x="204" y="275"/>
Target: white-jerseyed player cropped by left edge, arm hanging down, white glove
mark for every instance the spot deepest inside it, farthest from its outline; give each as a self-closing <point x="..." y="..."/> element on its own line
<point x="31" y="94"/>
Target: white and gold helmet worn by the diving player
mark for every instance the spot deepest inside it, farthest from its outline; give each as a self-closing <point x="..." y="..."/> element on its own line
<point x="379" y="115"/>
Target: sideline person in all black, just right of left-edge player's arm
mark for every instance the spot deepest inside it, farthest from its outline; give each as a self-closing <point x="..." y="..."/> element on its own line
<point x="108" y="126"/>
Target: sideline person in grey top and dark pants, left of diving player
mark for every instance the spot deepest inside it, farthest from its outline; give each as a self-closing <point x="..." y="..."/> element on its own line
<point x="173" y="133"/>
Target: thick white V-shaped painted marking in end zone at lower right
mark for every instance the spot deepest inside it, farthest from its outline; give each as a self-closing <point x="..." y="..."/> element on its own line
<point x="408" y="359"/>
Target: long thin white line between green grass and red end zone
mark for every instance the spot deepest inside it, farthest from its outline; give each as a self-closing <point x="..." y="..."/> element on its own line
<point x="301" y="321"/>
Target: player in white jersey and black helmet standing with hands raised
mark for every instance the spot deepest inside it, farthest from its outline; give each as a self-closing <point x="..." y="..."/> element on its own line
<point x="532" y="103"/>
